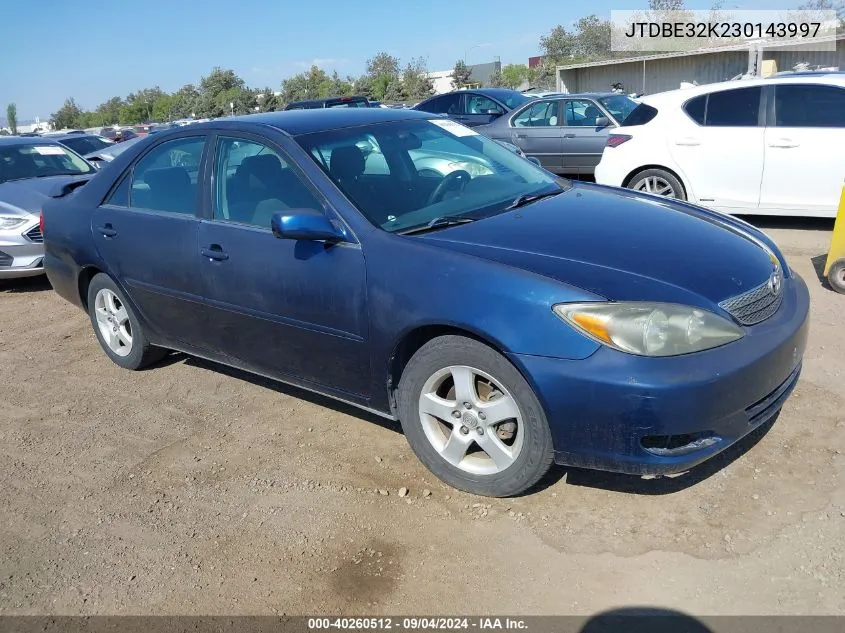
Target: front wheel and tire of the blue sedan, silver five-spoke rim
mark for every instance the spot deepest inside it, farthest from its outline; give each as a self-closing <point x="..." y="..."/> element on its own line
<point x="429" y="383"/>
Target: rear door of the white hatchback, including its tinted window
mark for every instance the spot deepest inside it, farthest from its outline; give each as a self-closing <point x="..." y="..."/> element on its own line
<point x="717" y="140"/>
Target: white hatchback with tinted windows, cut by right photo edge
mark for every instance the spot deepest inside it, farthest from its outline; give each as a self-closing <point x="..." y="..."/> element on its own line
<point x="772" y="146"/>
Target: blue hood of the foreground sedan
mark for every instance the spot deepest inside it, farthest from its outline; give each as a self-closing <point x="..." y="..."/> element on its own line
<point x="621" y="245"/>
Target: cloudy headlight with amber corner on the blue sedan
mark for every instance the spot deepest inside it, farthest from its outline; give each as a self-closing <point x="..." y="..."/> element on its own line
<point x="649" y="329"/>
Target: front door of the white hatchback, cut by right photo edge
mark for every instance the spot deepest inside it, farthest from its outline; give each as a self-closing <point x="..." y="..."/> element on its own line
<point x="803" y="173"/>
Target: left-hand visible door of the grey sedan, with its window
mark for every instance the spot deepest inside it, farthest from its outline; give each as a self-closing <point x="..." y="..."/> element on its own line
<point x="537" y="130"/>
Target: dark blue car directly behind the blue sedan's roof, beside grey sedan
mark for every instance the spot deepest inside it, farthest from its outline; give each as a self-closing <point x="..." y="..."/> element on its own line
<point x="474" y="107"/>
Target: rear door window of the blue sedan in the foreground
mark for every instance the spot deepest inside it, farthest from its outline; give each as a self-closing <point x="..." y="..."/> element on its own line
<point x="166" y="178"/>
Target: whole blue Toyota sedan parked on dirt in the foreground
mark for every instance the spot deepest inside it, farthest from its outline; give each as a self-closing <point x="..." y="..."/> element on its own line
<point x="507" y="317"/>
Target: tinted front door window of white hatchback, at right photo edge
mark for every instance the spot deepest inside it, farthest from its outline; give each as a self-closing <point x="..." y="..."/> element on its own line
<point x="809" y="106"/>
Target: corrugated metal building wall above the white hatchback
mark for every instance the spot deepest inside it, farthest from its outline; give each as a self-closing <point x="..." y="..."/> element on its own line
<point x="668" y="73"/>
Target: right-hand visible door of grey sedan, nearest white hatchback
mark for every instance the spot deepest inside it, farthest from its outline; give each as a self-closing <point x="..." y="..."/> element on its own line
<point x="583" y="139"/>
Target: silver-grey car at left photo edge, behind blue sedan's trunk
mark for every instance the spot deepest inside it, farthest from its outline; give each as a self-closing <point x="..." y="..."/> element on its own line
<point x="32" y="169"/>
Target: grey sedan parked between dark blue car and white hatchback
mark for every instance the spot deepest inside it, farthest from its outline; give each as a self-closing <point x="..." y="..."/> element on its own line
<point x="566" y="133"/>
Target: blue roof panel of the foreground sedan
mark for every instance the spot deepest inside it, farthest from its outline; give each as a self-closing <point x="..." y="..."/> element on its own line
<point x="296" y="122"/>
